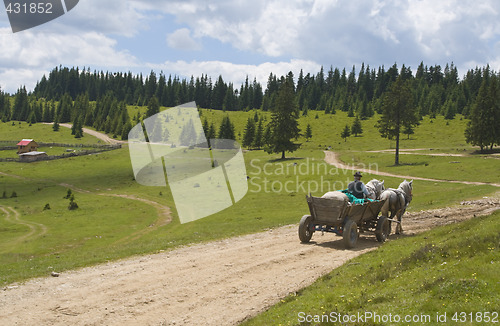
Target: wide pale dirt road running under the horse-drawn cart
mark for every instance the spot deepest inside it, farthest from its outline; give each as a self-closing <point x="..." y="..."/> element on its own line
<point x="217" y="283"/>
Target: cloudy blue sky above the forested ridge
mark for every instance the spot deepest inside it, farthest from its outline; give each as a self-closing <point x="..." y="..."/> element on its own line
<point x="236" y="38"/>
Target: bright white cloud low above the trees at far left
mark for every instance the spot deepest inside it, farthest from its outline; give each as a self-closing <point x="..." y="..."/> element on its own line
<point x="26" y="56"/>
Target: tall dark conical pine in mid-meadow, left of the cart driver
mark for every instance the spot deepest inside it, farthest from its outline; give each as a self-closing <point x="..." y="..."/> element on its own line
<point x="284" y="123"/>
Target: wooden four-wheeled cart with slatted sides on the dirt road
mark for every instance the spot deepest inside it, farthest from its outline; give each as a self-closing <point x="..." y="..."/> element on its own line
<point x="338" y="215"/>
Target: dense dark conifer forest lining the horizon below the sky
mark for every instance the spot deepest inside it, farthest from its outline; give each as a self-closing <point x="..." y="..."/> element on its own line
<point x="100" y="100"/>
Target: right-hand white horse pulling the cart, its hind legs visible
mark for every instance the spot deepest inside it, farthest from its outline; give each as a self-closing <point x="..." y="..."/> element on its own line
<point x="396" y="201"/>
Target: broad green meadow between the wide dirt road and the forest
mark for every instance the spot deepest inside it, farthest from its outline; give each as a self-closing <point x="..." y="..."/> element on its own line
<point x="105" y="228"/>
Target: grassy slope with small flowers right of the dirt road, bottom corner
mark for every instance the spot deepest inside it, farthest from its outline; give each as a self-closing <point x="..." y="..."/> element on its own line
<point x="448" y="270"/>
